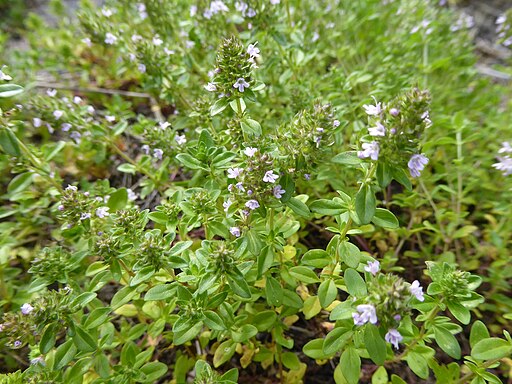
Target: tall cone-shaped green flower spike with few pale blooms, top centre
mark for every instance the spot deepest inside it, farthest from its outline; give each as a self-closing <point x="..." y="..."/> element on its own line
<point x="232" y="75"/>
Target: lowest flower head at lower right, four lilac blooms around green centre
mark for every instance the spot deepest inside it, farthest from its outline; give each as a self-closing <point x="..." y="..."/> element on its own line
<point x="388" y="301"/>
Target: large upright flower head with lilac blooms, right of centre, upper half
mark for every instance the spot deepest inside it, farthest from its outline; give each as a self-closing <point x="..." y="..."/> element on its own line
<point x="395" y="129"/>
